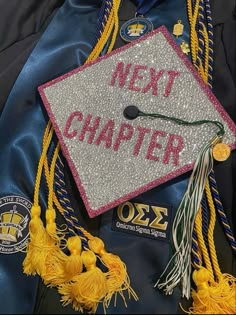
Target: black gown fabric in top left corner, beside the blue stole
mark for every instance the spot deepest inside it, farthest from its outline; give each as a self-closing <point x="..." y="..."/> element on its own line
<point x="21" y="27"/>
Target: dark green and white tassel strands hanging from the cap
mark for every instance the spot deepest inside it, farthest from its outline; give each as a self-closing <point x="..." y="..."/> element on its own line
<point x="179" y="267"/>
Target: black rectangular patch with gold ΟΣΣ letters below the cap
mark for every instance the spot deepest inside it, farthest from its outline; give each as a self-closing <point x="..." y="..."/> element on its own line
<point x="146" y="220"/>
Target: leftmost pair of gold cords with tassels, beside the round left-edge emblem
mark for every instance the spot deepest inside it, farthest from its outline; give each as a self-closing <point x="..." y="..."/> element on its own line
<point x="44" y="252"/>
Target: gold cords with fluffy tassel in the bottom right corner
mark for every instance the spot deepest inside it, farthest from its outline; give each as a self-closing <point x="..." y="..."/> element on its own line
<point x="215" y="292"/>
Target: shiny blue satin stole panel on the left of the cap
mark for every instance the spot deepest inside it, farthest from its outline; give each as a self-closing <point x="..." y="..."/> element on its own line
<point x="21" y="128"/>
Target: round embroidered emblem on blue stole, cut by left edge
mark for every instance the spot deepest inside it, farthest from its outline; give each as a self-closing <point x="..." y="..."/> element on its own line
<point x="14" y="221"/>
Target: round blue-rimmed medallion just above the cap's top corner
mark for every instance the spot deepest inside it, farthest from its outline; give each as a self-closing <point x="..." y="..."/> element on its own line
<point x="135" y="28"/>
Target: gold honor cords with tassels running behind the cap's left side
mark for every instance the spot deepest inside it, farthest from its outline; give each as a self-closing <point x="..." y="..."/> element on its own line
<point x="84" y="289"/>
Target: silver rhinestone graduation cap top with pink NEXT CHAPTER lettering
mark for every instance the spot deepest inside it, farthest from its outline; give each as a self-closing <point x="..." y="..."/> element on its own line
<point x="112" y="158"/>
